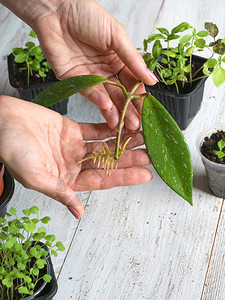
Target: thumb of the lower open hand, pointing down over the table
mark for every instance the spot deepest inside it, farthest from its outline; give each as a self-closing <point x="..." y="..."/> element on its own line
<point x="58" y="189"/>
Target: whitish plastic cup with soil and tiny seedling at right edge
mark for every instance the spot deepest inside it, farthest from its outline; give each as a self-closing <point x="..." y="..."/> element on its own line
<point x="211" y="146"/>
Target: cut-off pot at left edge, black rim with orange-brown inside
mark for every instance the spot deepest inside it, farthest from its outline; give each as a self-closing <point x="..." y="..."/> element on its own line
<point x="6" y="189"/>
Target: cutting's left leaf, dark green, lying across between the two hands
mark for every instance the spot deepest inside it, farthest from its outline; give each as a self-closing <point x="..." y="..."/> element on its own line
<point x="67" y="87"/>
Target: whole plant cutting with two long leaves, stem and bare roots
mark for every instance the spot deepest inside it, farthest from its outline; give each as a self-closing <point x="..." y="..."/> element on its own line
<point x="164" y="140"/>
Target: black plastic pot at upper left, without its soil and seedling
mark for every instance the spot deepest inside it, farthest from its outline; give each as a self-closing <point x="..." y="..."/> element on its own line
<point x="28" y="93"/>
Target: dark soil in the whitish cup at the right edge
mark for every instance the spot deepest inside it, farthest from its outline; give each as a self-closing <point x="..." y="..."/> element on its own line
<point x="210" y="144"/>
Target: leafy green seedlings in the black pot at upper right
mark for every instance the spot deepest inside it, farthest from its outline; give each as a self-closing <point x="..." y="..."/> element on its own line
<point x="177" y="60"/>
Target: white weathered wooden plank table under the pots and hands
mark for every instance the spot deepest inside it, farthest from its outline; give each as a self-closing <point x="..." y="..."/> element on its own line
<point x="141" y="242"/>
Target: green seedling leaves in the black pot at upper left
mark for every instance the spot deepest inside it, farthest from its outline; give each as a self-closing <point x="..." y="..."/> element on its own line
<point x="33" y="58"/>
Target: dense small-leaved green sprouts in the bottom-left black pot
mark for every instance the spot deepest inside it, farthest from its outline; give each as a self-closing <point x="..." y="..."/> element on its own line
<point x="23" y="252"/>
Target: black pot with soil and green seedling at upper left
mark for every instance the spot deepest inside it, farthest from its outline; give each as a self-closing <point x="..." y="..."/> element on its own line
<point x="30" y="73"/>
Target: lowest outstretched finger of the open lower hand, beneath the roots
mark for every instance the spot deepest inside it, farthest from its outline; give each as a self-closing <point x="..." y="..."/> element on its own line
<point x="97" y="179"/>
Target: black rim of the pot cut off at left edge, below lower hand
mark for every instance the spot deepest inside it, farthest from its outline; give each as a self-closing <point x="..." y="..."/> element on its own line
<point x="8" y="191"/>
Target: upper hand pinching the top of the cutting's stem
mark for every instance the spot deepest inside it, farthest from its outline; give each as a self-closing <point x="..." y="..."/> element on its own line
<point x="79" y="37"/>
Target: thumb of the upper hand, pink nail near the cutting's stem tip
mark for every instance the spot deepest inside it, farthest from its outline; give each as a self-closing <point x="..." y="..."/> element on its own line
<point x="129" y="55"/>
